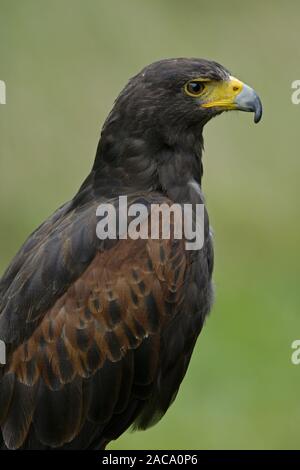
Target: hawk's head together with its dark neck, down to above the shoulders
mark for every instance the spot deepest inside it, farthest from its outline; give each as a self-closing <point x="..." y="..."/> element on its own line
<point x="161" y="112"/>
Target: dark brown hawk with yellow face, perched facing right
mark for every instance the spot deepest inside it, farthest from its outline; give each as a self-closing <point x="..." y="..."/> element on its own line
<point x="99" y="332"/>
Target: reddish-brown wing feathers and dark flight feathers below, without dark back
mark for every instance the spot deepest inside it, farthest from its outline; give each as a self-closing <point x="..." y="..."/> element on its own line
<point x="77" y="369"/>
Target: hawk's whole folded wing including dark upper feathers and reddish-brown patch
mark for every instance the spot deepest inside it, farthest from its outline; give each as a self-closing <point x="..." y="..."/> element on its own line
<point x="85" y="326"/>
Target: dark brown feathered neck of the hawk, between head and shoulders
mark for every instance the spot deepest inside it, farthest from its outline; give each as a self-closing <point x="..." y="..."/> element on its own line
<point x="142" y="164"/>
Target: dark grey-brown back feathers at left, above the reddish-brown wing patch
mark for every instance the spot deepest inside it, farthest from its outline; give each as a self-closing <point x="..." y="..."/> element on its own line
<point x="49" y="261"/>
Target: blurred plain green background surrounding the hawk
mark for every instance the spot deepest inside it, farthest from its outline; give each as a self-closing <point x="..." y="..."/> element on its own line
<point x="64" y="61"/>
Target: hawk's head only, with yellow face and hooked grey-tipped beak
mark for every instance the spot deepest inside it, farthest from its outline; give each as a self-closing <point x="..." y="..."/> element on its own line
<point x="174" y="95"/>
